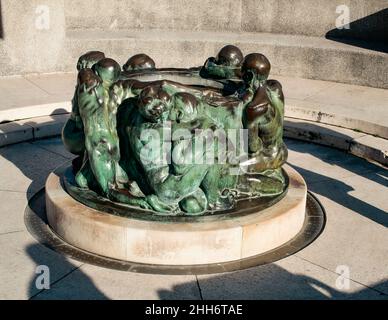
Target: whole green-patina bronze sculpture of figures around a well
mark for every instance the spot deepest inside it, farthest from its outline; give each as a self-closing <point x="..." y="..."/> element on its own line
<point x="177" y="141"/>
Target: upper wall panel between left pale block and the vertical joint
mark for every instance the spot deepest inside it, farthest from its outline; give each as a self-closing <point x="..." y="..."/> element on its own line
<point x="202" y="15"/>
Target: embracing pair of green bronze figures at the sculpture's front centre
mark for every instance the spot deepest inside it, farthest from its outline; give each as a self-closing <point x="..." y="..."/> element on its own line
<point x="187" y="114"/>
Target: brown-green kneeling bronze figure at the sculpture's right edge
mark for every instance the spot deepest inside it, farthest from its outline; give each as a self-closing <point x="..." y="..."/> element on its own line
<point x="263" y="114"/>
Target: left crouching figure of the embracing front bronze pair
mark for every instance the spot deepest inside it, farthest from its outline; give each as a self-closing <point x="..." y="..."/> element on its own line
<point x="145" y="137"/>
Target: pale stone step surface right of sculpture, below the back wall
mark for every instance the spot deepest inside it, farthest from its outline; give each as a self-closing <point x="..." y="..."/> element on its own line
<point x="349" y="106"/>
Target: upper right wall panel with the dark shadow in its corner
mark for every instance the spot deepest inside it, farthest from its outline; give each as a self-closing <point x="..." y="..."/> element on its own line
<point x="311" y="17"/>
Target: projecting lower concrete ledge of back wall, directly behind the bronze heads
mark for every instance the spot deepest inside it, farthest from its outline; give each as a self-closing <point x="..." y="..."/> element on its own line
<point x="290" y="55"/>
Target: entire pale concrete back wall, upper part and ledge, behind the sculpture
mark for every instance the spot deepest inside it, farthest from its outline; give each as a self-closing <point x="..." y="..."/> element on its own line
<point x="186" y="32"/>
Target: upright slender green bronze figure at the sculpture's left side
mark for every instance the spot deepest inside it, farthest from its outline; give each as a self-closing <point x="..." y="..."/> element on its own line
<point x="98" y="114"/>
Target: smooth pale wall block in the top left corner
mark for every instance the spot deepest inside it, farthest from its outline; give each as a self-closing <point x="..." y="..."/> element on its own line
<point x="24" y="47"/>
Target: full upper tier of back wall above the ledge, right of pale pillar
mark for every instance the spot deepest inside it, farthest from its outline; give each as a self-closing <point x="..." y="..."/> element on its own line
<point x="297" y="17"/>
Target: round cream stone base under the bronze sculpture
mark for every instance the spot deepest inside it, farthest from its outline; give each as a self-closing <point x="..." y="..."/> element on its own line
<point x="203" y="242"/>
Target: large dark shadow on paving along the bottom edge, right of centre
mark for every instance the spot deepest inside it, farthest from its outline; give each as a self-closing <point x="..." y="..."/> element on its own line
<point x="273" y="282"/>
